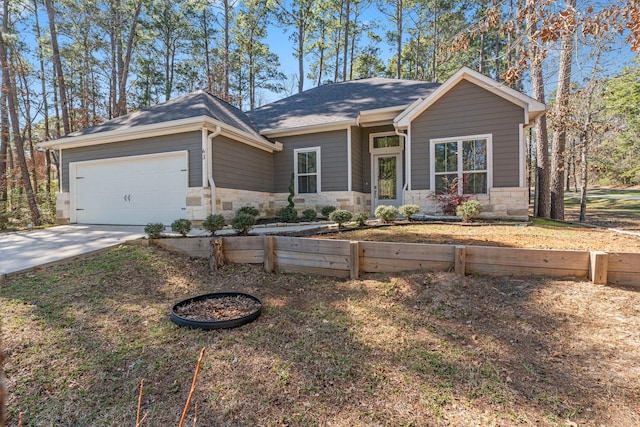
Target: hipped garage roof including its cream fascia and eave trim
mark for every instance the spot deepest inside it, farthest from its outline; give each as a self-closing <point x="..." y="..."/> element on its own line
<point x="188" y="112"/>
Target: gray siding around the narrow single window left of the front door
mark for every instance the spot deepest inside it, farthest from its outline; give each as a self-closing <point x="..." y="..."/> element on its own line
<point x="333" y="154"/>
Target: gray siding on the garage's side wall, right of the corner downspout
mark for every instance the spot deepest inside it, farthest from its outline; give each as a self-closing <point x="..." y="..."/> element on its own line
<point x="240" y="166"/>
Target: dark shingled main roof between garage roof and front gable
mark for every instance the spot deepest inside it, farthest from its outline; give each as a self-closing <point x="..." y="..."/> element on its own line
<point x="338" y="104"/>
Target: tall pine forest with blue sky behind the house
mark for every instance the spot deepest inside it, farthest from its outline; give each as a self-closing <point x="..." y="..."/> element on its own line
<point x="70" y="64"/>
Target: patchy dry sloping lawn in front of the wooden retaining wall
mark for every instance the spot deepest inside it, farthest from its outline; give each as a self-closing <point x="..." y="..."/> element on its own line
<point x="419" y="349"/>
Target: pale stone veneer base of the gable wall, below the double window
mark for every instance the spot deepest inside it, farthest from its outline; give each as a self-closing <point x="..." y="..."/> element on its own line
<point x="508" y="202"/>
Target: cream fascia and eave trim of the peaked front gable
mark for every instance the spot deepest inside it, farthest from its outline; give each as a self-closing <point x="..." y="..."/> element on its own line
<point x="532" y="108"/>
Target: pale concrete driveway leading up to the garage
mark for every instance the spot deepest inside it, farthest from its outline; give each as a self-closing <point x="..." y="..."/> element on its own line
<point x="27" y="249"/>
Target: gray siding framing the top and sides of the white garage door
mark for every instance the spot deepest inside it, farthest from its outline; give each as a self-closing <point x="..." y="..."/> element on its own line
<point x="191" y="141"/>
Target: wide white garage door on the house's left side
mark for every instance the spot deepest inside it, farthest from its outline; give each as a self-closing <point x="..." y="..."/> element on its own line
<point x="133" y="190"/>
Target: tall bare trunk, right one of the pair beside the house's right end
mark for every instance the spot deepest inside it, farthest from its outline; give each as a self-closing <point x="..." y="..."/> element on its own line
<point x="560" y="129"/>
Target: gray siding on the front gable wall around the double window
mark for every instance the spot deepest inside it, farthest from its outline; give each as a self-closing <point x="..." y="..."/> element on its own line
<point x="468" y="109"/>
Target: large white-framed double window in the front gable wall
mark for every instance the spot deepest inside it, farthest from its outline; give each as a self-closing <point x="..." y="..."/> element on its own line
<point x="461" y="161"/>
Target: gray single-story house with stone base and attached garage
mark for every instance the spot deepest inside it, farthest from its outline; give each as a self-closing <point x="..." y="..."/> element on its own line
<point x="354" y="145"/>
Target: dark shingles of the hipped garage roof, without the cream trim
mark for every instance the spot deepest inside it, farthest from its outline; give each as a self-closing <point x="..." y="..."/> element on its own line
<point x="196" y="104"/>
